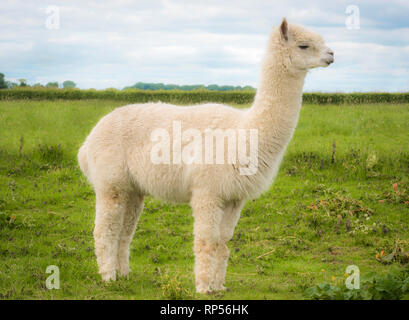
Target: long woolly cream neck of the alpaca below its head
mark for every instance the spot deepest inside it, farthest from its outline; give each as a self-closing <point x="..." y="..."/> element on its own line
<point x="276" y="107"/>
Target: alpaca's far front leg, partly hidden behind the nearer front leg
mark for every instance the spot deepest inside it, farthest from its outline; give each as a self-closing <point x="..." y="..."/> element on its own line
<point x="229" y="220"/>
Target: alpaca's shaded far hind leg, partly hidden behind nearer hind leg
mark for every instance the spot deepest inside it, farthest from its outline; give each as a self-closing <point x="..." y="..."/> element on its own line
<point x="131" y="217"/>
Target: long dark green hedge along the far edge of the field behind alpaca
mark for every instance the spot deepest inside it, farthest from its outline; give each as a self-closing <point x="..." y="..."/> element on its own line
<point x="195" y="96"/>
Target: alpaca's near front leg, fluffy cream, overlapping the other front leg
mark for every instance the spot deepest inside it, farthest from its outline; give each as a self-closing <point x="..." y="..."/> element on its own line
<point x="207" y="215"/>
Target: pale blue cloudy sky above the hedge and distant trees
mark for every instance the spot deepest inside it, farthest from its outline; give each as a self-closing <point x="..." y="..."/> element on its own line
<point x="115" y="43"/>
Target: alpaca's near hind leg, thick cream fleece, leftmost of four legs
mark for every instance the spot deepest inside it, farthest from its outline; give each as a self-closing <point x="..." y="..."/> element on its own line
<point x="110" y="210"/>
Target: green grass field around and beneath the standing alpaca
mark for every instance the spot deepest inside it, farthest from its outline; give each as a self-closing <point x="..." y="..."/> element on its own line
<point x="328" y="208"/>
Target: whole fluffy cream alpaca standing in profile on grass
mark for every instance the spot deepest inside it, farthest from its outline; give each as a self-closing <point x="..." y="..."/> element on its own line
<point x="116" y="158"/>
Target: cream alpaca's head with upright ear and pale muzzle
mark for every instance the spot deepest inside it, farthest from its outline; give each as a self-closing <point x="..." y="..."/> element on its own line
<point x="300" y="49"/>
